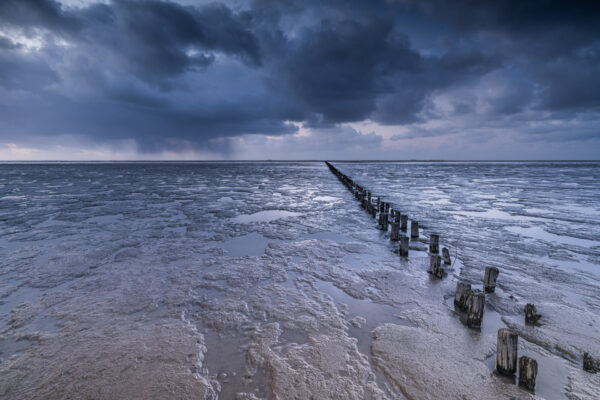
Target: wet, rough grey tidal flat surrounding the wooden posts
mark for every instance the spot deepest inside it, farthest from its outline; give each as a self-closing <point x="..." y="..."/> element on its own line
<point x="267" y="280"/>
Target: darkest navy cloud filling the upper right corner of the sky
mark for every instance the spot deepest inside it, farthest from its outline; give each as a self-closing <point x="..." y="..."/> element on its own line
<point x="556" y="42"/>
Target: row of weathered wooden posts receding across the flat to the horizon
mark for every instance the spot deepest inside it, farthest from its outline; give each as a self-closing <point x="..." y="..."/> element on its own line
<point x="466" y="299"/>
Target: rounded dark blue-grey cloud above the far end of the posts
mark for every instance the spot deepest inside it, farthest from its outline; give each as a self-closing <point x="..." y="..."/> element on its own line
<point x="339" y="68"/>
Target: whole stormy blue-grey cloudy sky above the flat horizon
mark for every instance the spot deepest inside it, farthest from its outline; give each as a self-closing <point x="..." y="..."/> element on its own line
<point x="306" y="79"/>
